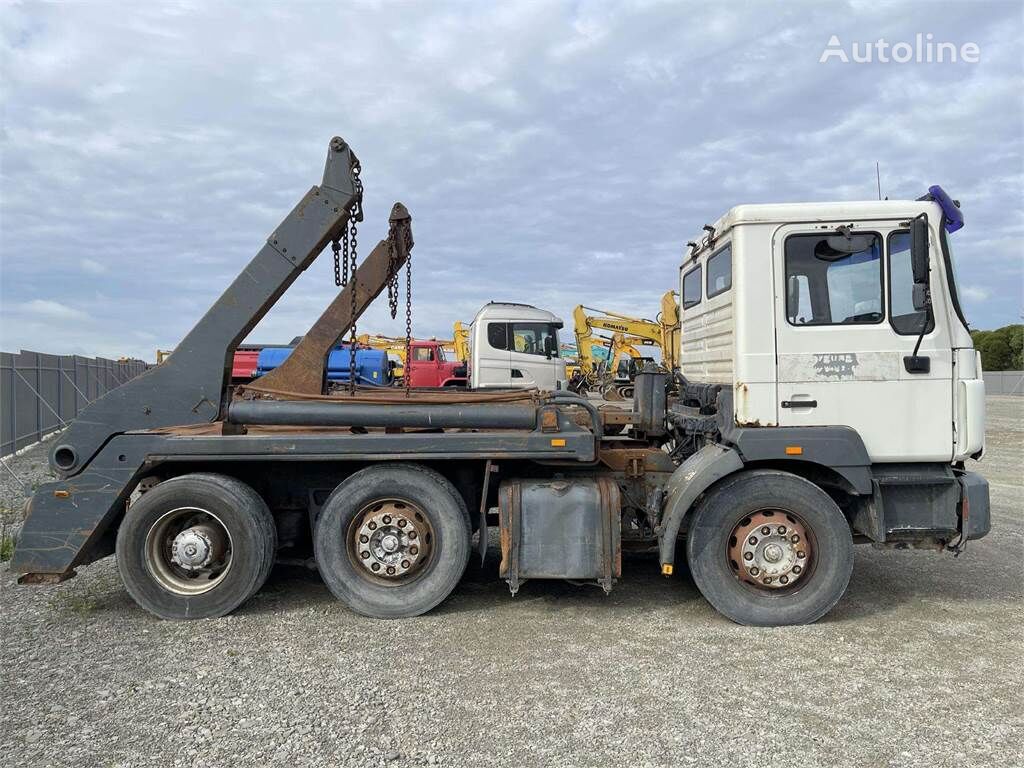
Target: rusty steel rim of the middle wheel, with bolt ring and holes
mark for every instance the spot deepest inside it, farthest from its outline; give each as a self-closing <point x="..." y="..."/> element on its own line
<point x="391" y="542"/>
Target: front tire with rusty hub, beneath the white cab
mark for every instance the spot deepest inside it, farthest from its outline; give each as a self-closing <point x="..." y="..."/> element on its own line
<point x="769" y="548"/>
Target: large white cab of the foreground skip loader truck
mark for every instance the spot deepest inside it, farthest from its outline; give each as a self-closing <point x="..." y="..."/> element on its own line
<point x="814" y="315"/>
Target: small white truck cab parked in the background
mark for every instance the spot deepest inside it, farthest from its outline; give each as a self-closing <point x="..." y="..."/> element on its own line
<point x="516" y="347"/>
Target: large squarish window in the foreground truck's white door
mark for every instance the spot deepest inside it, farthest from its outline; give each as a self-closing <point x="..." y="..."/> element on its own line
<point x="834" y="279"/>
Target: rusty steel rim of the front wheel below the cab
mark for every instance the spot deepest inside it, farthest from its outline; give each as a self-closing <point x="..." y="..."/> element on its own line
<point x="773" y="551"/>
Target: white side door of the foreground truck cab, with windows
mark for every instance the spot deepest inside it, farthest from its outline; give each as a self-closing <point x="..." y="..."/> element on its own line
<point x="844" y="323"/>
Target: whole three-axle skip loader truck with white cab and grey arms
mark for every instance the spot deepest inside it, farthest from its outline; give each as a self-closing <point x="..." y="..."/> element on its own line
<point x="828" y="394"/>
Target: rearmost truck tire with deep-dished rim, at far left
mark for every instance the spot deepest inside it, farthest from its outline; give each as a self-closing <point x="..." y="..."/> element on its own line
<point x="196" y="547"/>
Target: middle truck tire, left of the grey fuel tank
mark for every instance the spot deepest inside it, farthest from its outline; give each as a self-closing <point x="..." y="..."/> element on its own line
<point x="393" y="541"/>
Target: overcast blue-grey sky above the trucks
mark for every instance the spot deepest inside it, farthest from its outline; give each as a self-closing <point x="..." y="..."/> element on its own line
<point x="550" y="153"/>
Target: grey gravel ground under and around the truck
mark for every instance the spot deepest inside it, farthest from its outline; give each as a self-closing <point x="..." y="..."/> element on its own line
<point x="919" y="665"/>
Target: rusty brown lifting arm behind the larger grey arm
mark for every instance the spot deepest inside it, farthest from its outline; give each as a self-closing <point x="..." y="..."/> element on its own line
<point x="304" y="371"/>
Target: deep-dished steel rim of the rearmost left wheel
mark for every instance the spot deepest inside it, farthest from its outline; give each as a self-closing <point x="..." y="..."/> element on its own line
<point x="189" y="551"/>
